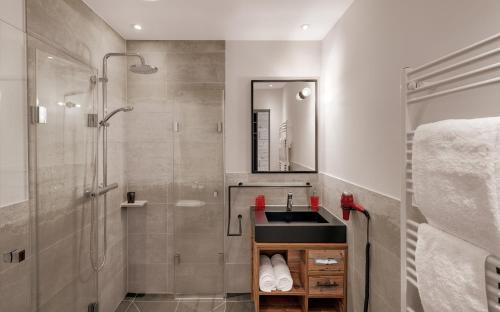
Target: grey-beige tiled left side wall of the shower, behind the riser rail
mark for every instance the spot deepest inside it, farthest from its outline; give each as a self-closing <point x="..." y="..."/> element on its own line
<point x="66" y="281"/>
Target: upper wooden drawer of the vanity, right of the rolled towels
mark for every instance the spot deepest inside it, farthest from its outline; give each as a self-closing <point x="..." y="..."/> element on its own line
<point x="314" y="262"/>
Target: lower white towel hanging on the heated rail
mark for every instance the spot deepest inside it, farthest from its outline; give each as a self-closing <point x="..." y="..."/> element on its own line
<point x="450" y="272"/>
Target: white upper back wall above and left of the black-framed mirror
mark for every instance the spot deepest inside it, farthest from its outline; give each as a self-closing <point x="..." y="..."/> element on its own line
<point x="247" y="60"/>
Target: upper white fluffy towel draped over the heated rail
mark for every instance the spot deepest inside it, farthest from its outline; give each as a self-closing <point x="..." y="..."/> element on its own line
<point x="456" y="176"/>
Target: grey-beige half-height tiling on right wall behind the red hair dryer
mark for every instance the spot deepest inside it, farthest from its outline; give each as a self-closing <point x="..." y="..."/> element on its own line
<point x="384" y="239"/>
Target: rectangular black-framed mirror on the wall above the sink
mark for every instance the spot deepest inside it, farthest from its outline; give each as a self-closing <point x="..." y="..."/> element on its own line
<point x="284" y="126"/>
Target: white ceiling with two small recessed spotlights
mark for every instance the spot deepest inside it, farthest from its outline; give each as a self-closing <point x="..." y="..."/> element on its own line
<point x="221" y="19"/>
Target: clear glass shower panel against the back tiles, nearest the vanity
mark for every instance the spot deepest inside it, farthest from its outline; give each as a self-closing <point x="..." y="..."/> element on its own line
<point x="198" y="190"/>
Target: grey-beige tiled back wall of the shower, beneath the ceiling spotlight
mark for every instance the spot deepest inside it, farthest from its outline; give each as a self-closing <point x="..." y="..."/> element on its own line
<point x="164" y="166"/>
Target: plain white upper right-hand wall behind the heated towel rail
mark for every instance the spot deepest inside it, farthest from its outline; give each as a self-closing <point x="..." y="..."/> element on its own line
<point x="361" y="61"/>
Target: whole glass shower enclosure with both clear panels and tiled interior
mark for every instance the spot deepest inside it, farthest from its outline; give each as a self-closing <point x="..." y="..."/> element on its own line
<point x="178" y="145"/>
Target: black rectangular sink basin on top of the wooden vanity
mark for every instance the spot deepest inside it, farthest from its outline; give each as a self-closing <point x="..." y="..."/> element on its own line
<point x="301" y="225"/>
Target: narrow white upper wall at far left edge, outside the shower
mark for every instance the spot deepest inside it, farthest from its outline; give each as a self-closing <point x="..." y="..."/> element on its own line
<point x="13" y="121"/>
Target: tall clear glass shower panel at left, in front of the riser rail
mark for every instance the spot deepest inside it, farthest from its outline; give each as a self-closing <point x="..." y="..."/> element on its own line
<point x="64" y="153"/>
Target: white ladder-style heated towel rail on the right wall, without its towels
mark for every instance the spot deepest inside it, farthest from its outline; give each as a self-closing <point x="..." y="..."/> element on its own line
<point x="444" y="76"/>
